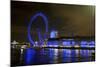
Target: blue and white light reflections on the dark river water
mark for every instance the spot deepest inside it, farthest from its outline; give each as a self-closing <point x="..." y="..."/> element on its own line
<point x="50" y="56"/>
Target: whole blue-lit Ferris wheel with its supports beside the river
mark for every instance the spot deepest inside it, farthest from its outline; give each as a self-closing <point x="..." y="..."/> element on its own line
<point x="39" y="30"/>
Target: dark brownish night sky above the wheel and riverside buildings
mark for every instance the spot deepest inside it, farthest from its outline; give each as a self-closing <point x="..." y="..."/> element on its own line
<point x="78" y="20"/>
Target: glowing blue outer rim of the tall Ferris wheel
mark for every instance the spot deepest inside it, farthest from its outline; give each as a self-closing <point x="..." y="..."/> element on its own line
<point x="30" y="24"/>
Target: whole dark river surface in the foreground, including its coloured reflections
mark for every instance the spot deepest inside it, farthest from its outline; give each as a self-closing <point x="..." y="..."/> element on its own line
<point x="32" y="56"/>
